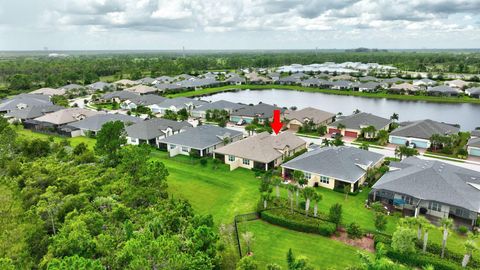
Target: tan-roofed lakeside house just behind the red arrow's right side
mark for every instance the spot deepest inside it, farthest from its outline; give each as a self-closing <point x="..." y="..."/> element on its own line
<point x="296" y="119"/>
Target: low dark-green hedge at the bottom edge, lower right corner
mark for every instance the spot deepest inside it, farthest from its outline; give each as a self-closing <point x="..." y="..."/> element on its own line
<point x="420" y="260"/>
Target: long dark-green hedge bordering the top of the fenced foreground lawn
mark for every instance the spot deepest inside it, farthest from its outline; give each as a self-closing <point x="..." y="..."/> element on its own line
<point x="297" y="222"/>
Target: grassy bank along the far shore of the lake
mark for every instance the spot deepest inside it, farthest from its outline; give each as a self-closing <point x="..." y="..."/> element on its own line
<point x="213" y="90"/>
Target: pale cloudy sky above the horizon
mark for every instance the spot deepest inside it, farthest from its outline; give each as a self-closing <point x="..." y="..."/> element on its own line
<point x="238" y="24"/>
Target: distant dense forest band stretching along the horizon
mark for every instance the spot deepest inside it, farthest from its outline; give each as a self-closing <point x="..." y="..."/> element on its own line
<point x="27" y="72"/>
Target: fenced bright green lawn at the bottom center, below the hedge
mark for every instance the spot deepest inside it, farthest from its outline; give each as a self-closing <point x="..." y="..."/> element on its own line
<point x="271" y="244"/>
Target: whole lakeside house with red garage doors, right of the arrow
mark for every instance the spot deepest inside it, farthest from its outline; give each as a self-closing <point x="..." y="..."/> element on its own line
<point x="353" y="124"/>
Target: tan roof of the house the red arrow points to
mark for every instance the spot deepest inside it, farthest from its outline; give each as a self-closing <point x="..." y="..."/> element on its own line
<point x="263" y="147"/>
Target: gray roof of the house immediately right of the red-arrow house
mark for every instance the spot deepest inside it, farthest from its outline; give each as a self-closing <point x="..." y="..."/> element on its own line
<point x="344" y="163"/>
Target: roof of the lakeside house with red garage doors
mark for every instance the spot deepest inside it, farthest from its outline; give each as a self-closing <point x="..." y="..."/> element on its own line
<point x="361" y="120"/>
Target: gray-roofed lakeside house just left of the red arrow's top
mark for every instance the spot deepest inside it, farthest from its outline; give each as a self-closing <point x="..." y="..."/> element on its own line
<point x="261" y="111"/>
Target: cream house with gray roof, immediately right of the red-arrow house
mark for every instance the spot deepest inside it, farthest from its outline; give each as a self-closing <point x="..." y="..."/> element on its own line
<point x="334" y="167"/>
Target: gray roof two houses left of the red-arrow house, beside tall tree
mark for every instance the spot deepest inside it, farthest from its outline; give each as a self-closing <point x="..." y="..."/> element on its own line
<point x="154" y="128"/>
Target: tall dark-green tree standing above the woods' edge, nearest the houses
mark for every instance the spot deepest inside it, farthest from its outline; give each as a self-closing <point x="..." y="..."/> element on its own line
<point x="109" y="140"/>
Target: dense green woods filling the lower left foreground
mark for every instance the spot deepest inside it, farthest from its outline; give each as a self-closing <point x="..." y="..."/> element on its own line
<point x="69" y="206"/>
